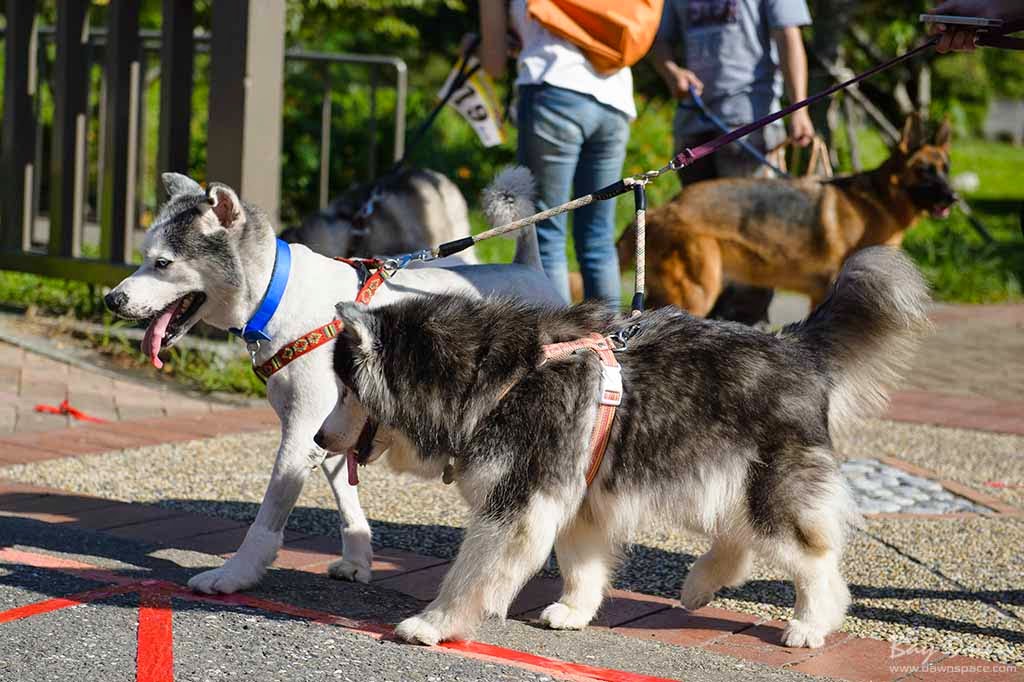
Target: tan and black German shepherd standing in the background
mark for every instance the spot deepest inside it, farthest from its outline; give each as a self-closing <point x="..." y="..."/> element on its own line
<point x="789" y="234"/>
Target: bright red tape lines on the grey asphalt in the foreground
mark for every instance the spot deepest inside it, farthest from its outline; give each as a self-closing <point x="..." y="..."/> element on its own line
<point x="156" y="659"/>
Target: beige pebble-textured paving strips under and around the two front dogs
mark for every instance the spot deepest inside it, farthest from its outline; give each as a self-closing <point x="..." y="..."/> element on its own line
<point x="955" y="585"/>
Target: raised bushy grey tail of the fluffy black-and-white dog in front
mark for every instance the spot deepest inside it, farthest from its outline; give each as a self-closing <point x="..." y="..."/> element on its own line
<point x="867" y="331"/>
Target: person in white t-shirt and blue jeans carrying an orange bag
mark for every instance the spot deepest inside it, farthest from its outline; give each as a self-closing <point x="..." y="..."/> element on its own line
<point x="574" y="125"/>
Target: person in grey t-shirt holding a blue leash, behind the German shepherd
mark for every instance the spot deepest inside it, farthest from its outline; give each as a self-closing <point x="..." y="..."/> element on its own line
<point x="739" y="56"/>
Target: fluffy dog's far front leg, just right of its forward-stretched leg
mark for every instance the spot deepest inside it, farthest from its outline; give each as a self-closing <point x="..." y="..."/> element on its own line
<point x="586" y="556"/>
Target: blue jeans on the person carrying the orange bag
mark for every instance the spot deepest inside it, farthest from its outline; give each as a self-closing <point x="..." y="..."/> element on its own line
<point x="574" y="145"/>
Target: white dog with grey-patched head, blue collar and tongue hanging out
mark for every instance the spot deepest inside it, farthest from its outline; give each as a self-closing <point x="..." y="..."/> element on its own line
<point x="209" y="257"/>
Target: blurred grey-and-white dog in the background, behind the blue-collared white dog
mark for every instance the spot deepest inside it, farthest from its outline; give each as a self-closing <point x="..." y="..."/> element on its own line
<point x="415" y="209"/>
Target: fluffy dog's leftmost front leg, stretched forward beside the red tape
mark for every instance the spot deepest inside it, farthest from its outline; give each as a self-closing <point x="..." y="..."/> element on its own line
<point x="497" y="558"/>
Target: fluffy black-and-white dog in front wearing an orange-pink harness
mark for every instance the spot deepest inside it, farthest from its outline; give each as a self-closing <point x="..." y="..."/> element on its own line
<point x="723" y="430"/>
